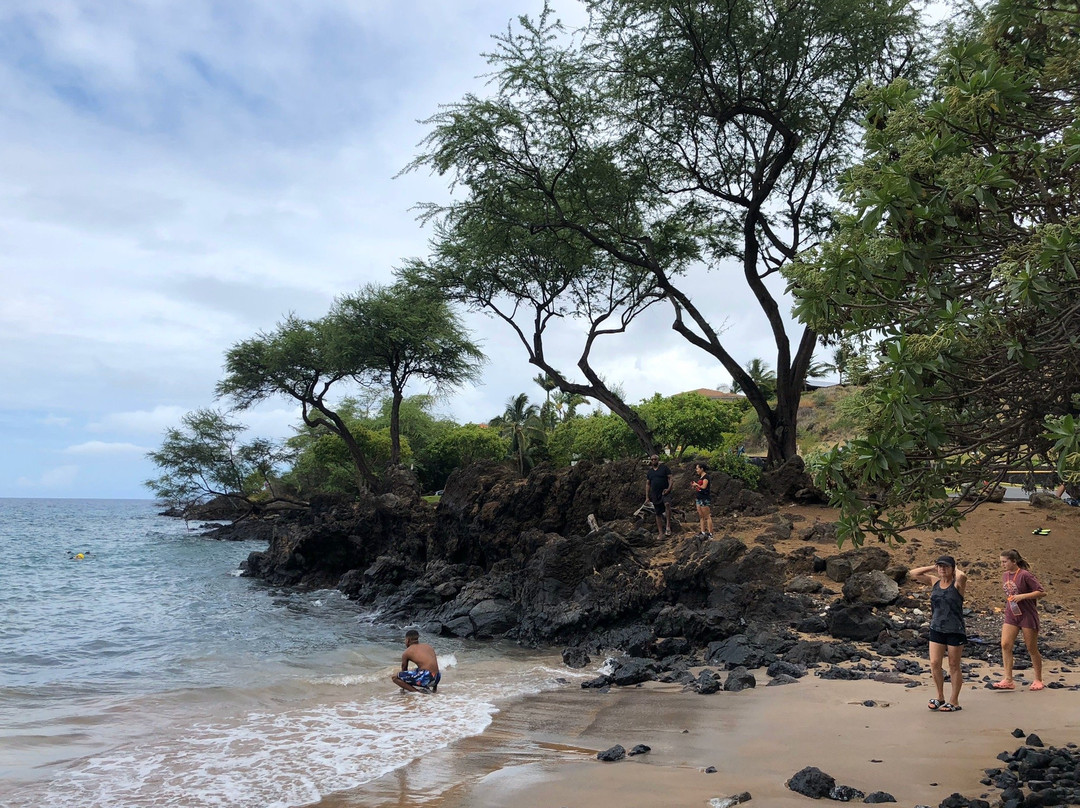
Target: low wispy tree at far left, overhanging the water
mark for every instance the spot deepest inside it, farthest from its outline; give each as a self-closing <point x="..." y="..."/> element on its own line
<point x="205" y="459"/>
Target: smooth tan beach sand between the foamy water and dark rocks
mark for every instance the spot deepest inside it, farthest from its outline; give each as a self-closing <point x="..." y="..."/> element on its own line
<point x="541" y="752"/>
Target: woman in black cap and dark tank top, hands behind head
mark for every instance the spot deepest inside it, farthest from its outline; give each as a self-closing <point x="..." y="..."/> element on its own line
<point x="948" y="631"/>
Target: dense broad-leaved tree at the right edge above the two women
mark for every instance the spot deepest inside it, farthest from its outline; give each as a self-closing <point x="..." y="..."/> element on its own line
<point x="960" y="253"/>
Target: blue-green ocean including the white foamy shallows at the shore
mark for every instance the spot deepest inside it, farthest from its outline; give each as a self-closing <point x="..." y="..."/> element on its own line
<point x="150" y="674"/>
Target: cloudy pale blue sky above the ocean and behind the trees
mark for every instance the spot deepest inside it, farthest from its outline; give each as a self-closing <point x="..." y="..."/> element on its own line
<point x="179" y="176"/>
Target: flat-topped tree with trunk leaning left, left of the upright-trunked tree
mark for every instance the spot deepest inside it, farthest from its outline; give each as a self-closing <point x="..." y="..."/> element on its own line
<point x="304" y="361"/>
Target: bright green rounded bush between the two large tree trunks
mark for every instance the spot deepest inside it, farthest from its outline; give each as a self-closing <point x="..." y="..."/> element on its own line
<point x="691" y="420"/>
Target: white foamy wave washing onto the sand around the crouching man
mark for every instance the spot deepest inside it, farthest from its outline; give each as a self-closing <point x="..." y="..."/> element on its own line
<point x="295" y="757"/>
